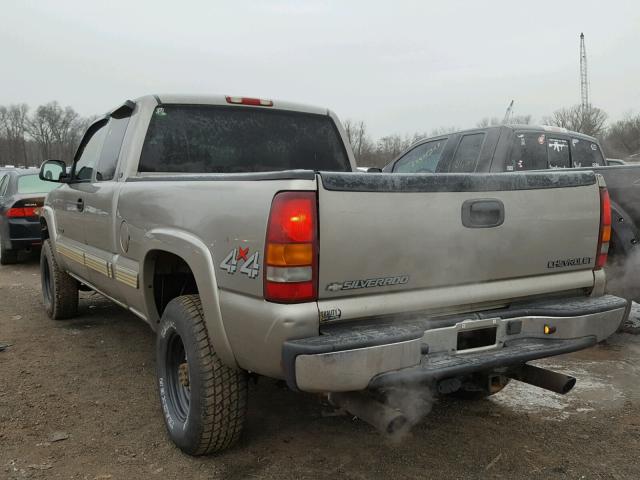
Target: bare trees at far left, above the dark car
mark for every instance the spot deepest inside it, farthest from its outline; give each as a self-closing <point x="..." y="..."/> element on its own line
<point x="28" y="137"/>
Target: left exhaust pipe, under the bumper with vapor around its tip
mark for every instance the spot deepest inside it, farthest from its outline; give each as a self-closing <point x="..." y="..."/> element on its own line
<point x="382" y="417"/>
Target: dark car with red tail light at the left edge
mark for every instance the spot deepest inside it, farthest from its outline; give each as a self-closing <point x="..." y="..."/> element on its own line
<point x="21" y="196"/>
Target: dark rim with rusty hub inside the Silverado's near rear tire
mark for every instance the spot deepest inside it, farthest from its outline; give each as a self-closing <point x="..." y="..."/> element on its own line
<point x="178" y="379"/>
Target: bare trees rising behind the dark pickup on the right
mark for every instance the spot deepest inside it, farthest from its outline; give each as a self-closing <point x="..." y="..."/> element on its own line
<point x="620" y="139"/>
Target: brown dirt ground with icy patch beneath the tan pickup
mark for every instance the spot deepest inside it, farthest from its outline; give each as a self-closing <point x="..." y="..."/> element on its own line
<point x="78" y="400"/>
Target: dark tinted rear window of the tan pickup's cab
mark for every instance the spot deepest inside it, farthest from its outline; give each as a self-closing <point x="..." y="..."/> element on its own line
<point x="215" y="139"/>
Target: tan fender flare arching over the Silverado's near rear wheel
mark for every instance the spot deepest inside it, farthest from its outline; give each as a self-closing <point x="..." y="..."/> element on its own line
<point x="198" y="257"/>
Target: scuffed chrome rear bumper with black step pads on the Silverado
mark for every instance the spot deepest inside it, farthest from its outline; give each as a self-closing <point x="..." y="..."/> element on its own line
<point x="413" y="351"/>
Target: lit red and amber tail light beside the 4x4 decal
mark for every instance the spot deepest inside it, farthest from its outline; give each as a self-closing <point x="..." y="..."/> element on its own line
<point x="291" y="249"/>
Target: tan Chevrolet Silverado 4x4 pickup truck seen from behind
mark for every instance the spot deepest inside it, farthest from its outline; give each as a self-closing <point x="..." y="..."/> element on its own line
<point x="239" y="230"/>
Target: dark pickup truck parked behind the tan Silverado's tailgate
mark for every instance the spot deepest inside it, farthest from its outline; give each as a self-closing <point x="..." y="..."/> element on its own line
<point x="518" y="148"/>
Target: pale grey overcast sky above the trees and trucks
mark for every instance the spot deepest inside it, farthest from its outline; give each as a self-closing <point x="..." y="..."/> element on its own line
<point x="400" y="66"/>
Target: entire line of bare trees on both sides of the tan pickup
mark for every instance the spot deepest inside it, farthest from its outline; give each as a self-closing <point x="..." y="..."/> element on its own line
<point x="28" y="137"/>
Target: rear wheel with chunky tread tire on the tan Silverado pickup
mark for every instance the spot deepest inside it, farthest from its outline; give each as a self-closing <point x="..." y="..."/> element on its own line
<point x="204" y="404"/>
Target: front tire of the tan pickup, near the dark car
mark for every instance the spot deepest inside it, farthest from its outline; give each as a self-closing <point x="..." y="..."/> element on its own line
<point x="59" y="289"/>
